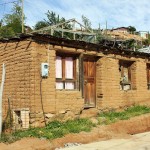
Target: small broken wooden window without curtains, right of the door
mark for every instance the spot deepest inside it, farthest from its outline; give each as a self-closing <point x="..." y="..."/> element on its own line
<point x="125" y="75"/>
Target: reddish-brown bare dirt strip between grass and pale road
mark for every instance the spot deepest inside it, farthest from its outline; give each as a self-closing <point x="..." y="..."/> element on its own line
<point x="119" y="130"/>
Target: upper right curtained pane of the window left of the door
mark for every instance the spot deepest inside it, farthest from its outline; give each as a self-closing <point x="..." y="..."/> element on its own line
<point x="69" y="68"/>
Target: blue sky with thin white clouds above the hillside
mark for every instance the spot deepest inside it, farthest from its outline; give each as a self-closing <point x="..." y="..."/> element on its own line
<point x="117" y="13"/>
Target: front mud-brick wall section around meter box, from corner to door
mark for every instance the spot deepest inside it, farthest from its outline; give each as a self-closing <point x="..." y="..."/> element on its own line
<point x="54" y="101"/>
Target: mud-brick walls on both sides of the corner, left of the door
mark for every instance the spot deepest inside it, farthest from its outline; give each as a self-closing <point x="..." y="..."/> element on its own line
<point x="24" y="86"/>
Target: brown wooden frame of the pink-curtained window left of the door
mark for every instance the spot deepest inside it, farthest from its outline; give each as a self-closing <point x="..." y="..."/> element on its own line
<point x="64" y="79"/>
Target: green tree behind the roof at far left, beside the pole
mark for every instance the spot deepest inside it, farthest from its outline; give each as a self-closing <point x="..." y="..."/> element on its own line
<point x="12" y="23"/>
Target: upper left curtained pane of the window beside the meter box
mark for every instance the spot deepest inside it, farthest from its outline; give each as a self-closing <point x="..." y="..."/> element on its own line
<point x="58" y="67"/>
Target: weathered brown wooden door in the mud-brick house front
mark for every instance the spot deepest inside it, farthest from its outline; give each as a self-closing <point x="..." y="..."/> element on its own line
<point x="89" y="82"/>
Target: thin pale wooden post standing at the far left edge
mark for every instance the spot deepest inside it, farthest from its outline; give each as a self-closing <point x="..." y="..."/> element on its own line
<point x="1" y="94"/>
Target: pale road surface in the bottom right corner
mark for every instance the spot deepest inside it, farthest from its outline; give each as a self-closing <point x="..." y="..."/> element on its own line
<point x="135" y="142"/>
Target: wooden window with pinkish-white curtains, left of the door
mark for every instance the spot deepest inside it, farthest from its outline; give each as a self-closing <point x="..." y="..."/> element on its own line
<point x="65" y="72"/>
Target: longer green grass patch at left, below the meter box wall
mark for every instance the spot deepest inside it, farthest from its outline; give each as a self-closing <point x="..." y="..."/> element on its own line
<point x="53" y="130"/>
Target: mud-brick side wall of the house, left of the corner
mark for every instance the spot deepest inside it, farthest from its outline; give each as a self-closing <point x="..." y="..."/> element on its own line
<point x="17" y="59"/>
